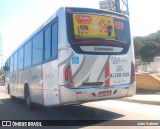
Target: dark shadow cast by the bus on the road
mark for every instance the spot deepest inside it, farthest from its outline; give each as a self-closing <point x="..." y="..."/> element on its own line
<point x="16" y="110"/>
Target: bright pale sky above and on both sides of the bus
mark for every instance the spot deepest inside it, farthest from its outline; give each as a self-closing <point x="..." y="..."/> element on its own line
<point x="20" y="18"/>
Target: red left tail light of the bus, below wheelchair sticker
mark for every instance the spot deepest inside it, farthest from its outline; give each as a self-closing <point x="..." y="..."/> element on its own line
<point x="68" y="77"/>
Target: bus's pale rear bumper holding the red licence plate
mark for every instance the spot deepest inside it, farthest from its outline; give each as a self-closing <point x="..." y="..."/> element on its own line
<point x="79" y="95"/>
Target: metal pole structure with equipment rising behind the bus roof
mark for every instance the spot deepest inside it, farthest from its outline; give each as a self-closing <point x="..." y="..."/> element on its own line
<point x="120" y="6"/>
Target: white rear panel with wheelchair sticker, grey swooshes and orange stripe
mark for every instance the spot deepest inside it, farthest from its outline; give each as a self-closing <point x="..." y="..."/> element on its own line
<point x="92" y="69"/>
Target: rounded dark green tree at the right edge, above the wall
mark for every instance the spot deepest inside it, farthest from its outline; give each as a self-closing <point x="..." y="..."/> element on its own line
<point x="149" y="50"/>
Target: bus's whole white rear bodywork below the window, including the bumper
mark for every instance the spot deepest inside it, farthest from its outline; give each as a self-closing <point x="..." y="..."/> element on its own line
<point x="93" y="75"/>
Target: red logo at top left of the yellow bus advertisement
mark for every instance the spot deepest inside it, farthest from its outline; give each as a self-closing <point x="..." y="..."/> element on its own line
<point x="83" y="19"/>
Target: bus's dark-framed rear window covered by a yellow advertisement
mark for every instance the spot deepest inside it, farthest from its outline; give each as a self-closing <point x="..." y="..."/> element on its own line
<point x="98" y="34"/>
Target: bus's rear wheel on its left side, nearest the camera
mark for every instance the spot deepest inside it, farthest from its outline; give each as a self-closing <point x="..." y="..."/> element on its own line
<point x="27" y="98"/>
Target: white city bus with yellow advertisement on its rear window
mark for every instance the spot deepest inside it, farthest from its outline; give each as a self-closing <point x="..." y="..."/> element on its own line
<point x="78" y="55"/>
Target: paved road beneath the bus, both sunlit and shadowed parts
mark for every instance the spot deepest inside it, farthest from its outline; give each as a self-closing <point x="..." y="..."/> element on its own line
<point x="103" y="110"/>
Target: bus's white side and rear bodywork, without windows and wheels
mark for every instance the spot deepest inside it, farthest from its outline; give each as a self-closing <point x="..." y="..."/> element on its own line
<point x="73" y="77"/>
